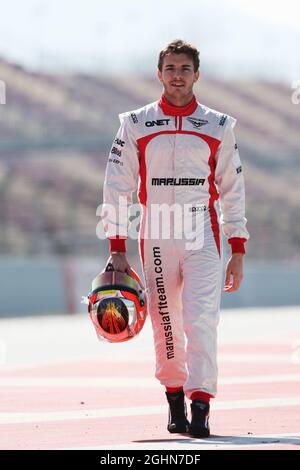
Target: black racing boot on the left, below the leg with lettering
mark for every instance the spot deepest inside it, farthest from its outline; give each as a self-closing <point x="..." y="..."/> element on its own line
<point x="178" y="422"/>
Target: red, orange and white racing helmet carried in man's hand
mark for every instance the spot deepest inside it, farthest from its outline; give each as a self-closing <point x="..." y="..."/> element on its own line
<point x="117" y="305"/>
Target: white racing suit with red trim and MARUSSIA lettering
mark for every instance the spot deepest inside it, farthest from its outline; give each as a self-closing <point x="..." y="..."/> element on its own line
<point x="183" y="156"/>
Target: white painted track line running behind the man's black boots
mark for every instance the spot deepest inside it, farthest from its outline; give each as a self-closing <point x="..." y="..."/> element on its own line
<point x="34" y="417"/>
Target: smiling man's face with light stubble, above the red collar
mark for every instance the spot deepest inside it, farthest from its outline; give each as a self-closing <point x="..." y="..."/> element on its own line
<point x="177" y="75"/>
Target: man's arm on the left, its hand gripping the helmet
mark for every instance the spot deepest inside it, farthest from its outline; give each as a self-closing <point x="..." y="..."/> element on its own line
<point x="120" y="182"/>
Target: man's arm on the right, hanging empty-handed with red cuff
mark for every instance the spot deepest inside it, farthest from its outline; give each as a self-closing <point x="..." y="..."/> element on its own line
<point x="230" y="181"/>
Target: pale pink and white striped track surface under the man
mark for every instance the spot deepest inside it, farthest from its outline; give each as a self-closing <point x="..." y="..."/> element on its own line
<point x="63" y="389"/>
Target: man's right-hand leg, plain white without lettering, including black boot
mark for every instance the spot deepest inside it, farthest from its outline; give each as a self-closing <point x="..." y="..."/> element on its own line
<point x="202" y="275"/>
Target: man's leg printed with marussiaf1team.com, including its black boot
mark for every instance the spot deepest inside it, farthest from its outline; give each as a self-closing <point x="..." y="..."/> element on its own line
<point x="164" y="289"/>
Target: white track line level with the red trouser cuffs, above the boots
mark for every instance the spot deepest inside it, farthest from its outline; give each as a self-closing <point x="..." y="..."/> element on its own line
<point x="132" y="382"/>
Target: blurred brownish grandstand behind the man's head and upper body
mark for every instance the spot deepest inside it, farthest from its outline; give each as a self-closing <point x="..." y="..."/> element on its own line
<point x="56" y="132"/>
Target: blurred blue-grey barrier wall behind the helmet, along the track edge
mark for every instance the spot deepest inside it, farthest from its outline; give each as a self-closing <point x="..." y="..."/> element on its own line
<point x="30" y="286"/>
